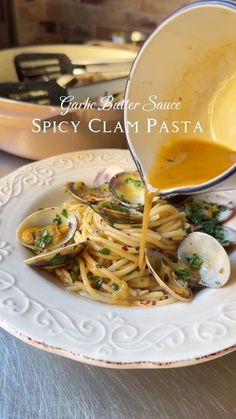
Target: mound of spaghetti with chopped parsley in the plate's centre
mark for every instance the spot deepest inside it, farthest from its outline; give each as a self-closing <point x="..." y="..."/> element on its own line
<point x="112" y="268"/>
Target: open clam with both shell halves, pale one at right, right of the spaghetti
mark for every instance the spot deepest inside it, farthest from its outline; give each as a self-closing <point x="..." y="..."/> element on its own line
<point x="202" y="262"/>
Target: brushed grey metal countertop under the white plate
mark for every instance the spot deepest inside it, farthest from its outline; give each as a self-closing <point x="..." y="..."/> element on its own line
<point x="38" y="385"/>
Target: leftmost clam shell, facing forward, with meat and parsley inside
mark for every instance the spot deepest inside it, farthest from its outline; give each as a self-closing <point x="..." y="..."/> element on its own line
<point x="47" y="229"/>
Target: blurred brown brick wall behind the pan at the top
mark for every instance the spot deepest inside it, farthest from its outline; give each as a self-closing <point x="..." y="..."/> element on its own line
<point x="55" y="21"/>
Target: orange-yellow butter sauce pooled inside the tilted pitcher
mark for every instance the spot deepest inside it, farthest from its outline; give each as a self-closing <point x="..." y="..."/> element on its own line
<point x="189" y="163"/>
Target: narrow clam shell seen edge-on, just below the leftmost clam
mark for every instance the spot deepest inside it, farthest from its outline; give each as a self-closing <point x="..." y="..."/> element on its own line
<point x="57" y="257"/>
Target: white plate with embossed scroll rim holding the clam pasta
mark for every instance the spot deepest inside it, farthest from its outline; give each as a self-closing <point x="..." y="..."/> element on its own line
<point x="36" y="309"/>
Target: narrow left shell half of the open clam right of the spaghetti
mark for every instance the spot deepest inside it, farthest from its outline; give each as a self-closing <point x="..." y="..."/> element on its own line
<point x="166" y="274"/>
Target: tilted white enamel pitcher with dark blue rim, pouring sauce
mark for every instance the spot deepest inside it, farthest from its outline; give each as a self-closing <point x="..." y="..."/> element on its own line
<point x="190" y="59"/>
